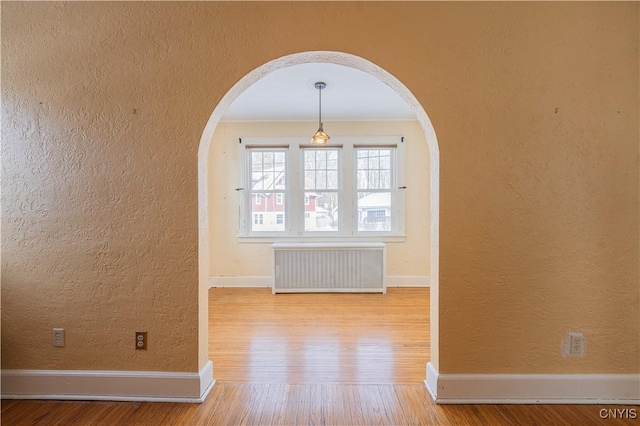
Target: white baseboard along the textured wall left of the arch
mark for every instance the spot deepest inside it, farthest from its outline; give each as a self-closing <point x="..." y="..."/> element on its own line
<point x="98" y="385"/>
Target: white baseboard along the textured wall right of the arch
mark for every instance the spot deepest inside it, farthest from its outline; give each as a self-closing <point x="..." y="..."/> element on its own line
<point x="533" y="388"/>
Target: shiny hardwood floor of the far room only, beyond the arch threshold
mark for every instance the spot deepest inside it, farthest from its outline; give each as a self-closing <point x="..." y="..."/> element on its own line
<point x="319" y="338"/>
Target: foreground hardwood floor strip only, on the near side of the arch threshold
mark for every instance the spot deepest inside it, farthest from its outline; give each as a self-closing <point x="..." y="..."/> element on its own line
<point x="263" y="404"/>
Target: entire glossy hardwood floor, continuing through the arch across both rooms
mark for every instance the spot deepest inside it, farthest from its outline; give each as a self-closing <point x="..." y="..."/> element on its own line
<point x="311" y="359"/>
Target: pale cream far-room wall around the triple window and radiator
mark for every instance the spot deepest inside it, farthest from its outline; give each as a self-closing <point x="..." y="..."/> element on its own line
<point x="231" y="258"/>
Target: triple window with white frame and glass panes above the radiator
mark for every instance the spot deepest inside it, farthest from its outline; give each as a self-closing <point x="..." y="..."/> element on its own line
<point x="348" y="189"/>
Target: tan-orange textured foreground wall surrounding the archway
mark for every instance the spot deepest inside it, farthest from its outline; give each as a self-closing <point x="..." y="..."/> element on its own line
<point x="536" y="110"/>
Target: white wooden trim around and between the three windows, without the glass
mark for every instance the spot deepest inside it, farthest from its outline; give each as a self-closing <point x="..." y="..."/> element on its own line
<point x="295" y="193"/>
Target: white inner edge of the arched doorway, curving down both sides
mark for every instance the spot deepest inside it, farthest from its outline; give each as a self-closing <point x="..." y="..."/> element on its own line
<point x="338" y="58"/>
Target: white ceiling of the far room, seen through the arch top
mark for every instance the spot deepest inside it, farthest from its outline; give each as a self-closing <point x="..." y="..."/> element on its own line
<point x="289" y="94"/>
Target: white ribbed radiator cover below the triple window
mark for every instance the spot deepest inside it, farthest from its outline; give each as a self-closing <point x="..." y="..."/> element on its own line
<point x="329" y="267"/>
